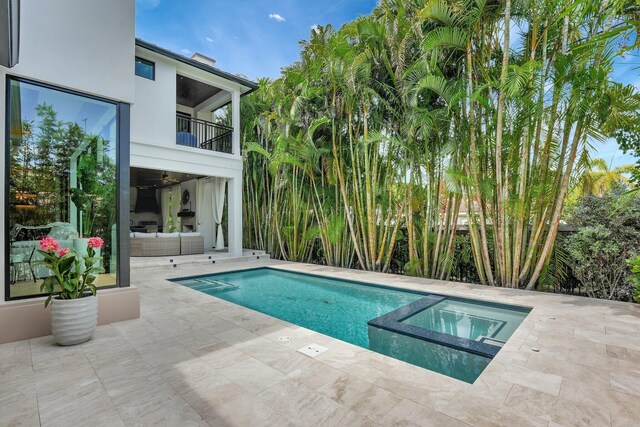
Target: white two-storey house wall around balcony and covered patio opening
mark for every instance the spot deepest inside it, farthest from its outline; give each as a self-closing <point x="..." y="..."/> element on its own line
<point x="153" y="135"/>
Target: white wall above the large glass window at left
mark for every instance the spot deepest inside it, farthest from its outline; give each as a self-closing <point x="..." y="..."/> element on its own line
<point x="83" y="45"/>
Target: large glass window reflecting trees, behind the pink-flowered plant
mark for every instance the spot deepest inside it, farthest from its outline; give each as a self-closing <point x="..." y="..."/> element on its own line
<point x="62" y="179"/>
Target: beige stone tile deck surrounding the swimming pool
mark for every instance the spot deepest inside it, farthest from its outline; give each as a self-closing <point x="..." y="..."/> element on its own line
<point x="192" y="359"/>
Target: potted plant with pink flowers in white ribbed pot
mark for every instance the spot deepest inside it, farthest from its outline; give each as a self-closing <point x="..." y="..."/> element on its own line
<point x="71" y="289"/>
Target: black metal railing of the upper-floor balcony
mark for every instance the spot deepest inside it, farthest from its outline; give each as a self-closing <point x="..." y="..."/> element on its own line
<point x="198" y="133"/>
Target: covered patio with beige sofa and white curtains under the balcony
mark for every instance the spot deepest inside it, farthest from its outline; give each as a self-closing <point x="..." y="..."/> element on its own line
<point x="177" y="213"/>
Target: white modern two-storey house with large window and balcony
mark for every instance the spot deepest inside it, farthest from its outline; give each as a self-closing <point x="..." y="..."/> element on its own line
<point x="111" y="136"/>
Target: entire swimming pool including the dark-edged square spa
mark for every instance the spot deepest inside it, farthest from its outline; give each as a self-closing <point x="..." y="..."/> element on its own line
<point x="453" y="336"/>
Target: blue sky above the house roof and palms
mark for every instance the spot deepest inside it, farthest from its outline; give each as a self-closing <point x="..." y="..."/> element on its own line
<point x="258" y="37"/>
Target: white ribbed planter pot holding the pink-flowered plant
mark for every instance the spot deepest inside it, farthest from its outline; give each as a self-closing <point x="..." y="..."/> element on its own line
<point x="73" y="321"/>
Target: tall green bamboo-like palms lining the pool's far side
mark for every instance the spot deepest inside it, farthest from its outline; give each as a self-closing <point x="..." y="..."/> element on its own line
<point x="427" y="117"/>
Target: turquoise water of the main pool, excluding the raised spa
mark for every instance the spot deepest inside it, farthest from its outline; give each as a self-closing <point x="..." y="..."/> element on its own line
<point x="332" y="307"/>
